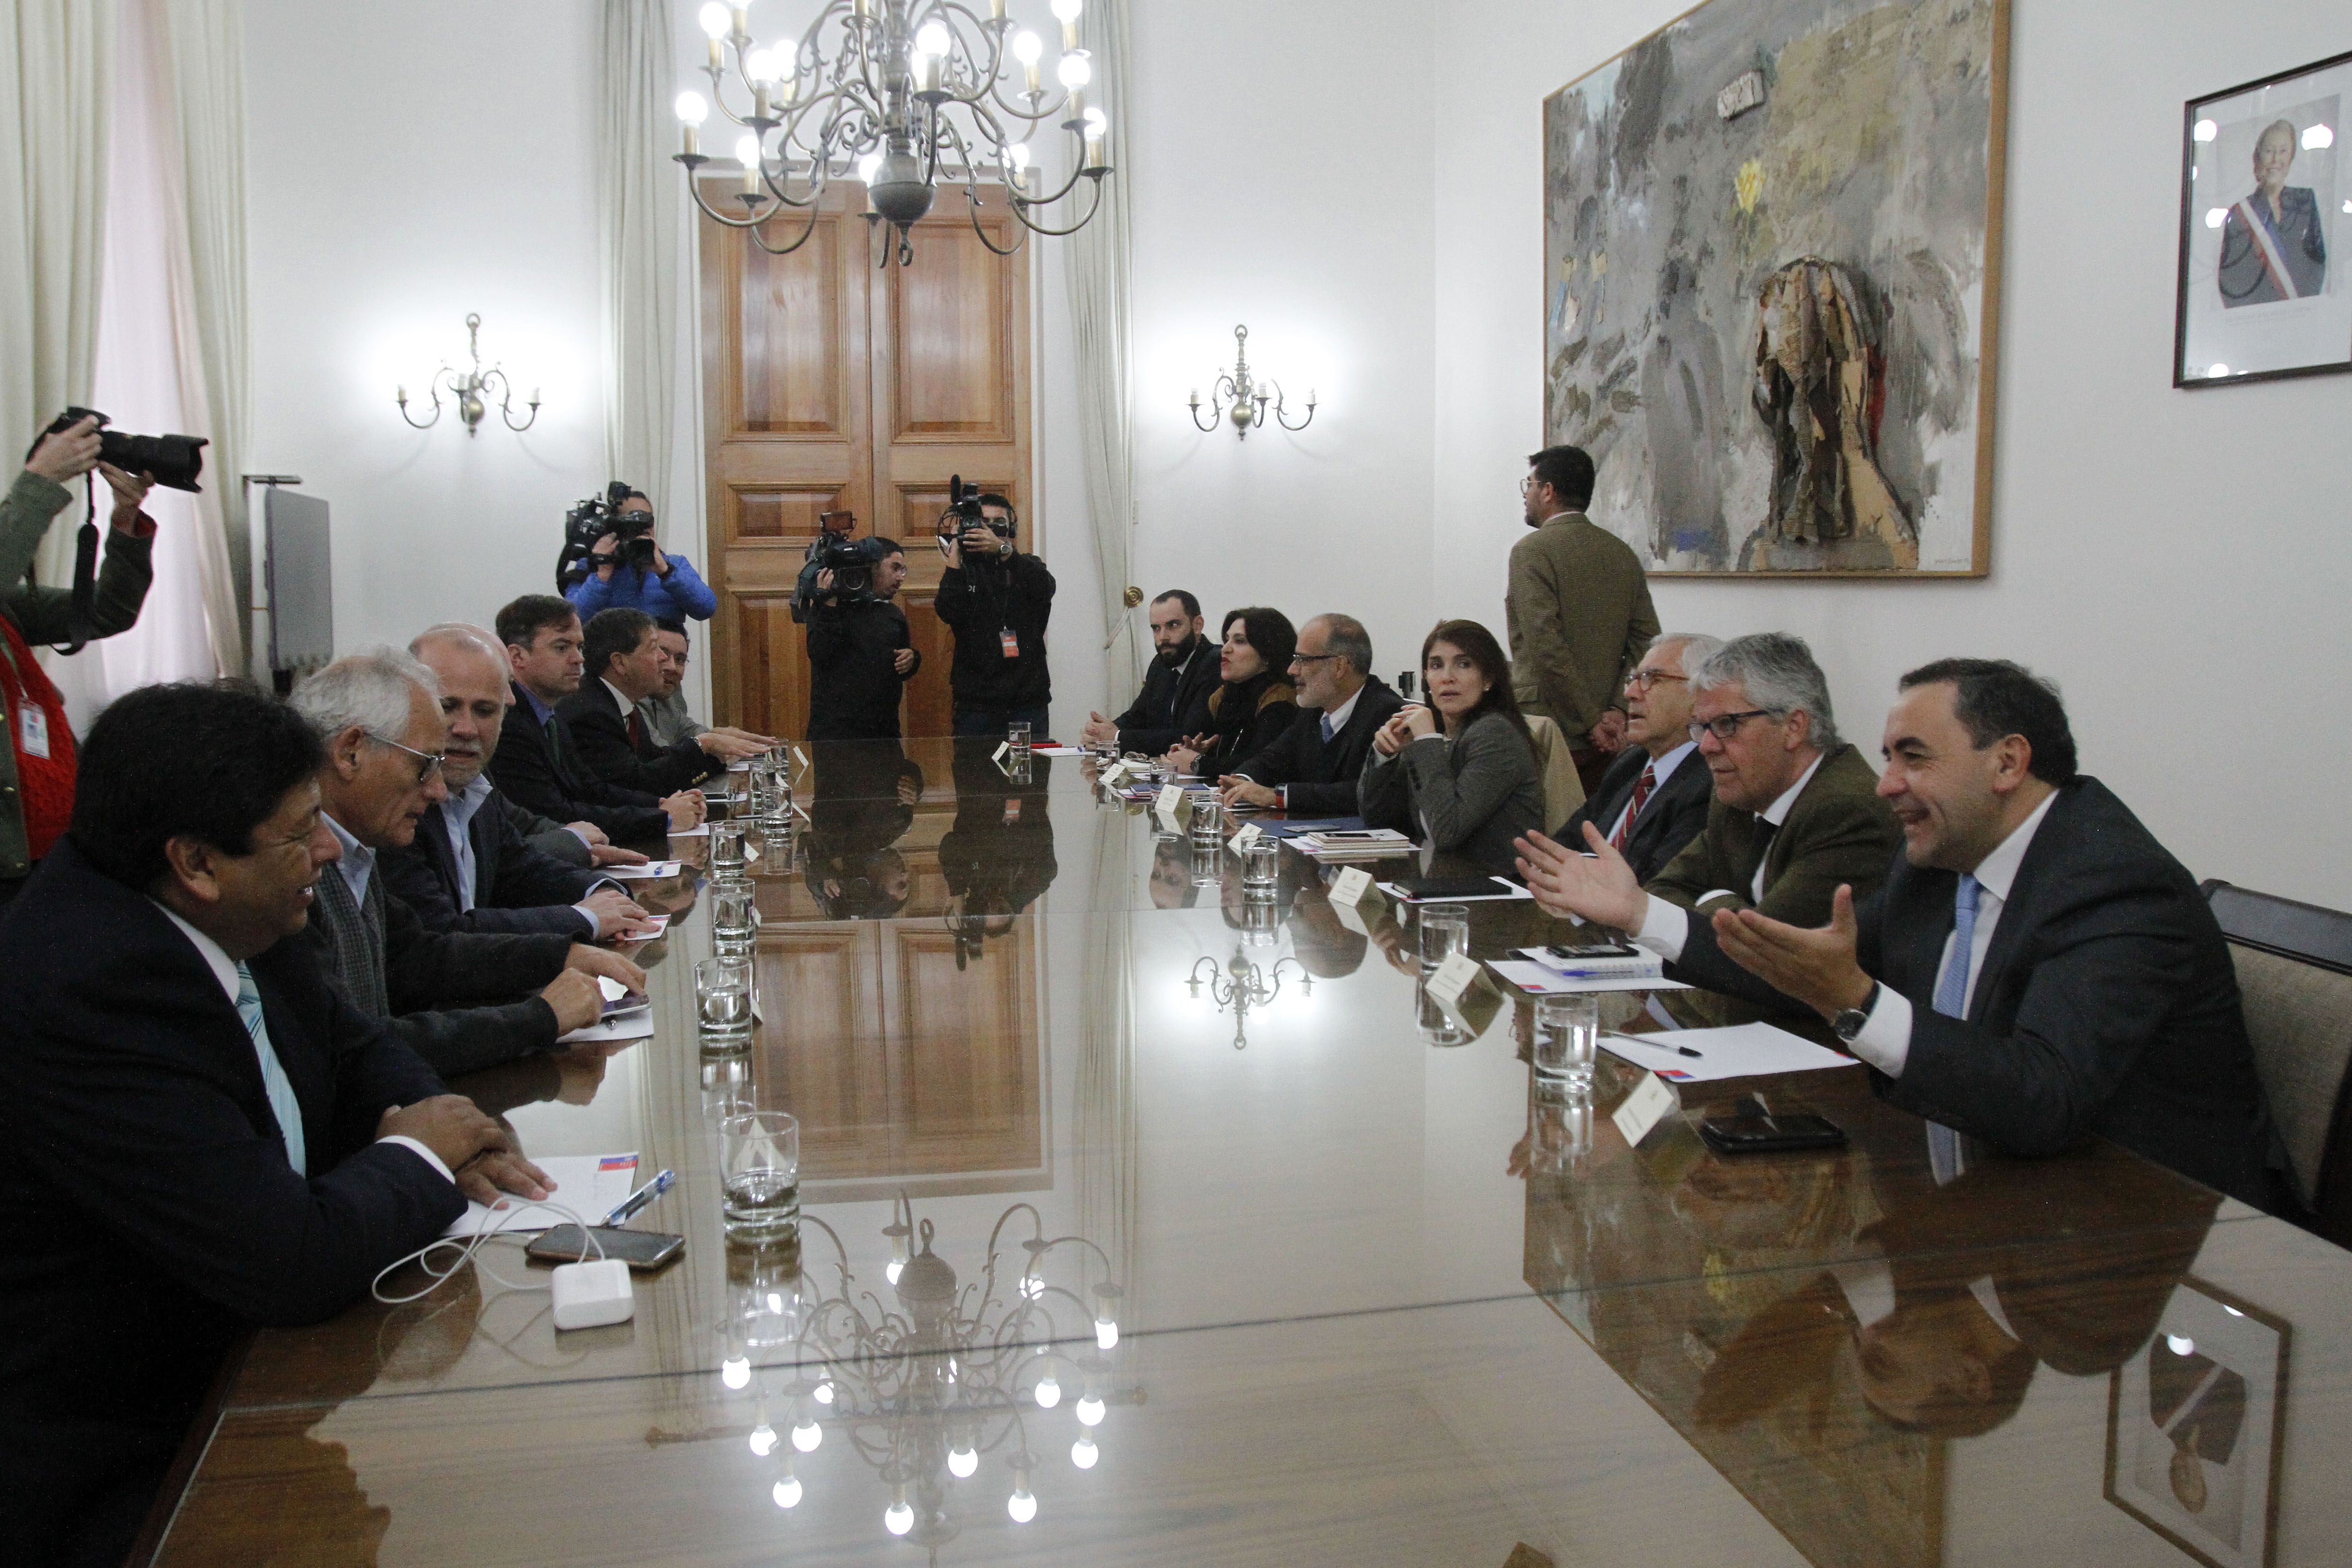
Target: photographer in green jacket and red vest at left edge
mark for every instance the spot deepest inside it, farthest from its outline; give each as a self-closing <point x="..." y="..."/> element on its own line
<point x="36" y="770"/>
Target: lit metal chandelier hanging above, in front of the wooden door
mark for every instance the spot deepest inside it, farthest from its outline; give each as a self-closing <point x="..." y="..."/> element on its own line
<point x="914" y="93"/>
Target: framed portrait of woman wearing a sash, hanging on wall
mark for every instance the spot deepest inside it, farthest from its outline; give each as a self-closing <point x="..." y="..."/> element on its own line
<point x="2266" y="206"/>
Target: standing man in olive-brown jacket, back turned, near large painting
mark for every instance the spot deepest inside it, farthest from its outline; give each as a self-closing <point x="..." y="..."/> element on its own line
<point x="1579" y="612"/>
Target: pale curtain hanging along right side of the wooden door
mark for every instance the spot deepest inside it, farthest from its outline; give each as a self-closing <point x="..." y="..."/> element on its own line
<point x="1100" y="267"/>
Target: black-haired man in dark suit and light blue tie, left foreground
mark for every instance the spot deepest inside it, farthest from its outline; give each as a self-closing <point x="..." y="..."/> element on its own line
<point x="203" y="1137"/>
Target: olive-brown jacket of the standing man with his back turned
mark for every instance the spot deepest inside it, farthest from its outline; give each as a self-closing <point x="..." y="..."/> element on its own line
<point x="1579" y="622"/>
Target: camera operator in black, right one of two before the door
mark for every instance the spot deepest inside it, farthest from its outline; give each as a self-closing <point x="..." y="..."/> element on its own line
<point x="996" y="601"/>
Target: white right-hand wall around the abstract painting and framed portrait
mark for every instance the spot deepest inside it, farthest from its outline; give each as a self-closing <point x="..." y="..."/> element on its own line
<point x="2172" y="558"/>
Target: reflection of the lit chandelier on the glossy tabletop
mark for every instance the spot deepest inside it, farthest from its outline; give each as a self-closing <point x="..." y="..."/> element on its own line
<point x="930" y="1386"/>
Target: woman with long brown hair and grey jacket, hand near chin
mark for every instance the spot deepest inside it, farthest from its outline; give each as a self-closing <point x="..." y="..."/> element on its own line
<point x="1462" y="772"/>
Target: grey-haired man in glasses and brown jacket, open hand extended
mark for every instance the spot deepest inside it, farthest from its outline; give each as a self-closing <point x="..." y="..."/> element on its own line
<point x="1796" y="812"/>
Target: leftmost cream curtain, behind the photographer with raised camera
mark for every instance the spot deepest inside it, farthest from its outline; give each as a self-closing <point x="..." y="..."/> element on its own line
<point x="55" y="88"/>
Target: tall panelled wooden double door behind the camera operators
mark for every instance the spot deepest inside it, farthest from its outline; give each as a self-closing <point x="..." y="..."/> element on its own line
<point x="841" y="384"/>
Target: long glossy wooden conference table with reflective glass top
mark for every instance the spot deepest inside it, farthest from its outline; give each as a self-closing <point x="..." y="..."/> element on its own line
<point x="1151" y="1224"/>
